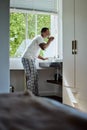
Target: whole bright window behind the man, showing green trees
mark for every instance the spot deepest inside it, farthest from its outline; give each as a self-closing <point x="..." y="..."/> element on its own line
<point x="24" y="26"/>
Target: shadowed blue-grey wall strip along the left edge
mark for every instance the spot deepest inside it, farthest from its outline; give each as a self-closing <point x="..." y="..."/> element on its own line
<point x="4" y="46"/>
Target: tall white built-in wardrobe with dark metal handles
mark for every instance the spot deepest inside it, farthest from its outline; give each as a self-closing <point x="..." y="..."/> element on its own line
<point x="75" y="51"/>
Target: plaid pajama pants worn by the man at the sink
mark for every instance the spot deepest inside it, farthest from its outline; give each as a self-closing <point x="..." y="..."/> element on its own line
<point x="31" y="75"/>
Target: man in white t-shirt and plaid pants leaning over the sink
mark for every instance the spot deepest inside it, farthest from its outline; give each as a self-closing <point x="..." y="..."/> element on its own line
<point x="29" y="56"/>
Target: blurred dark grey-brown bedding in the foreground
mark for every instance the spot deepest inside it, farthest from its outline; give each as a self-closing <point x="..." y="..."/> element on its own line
<point x="24" y="111"/>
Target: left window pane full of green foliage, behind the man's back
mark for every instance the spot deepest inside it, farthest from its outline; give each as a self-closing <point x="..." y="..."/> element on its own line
<point x="17" y="31"/>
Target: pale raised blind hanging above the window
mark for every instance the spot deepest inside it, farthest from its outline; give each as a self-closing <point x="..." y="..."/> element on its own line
<point x="37" y="5"/>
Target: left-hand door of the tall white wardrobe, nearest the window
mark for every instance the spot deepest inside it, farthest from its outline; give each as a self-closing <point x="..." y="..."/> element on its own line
<point x="68" y="37"/>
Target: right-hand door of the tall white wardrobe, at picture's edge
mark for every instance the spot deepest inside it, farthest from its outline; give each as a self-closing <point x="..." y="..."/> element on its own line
<point x="81" y="57"/>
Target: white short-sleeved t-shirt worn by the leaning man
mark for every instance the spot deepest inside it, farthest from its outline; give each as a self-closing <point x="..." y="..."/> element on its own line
<point x="32" y="51"/>
